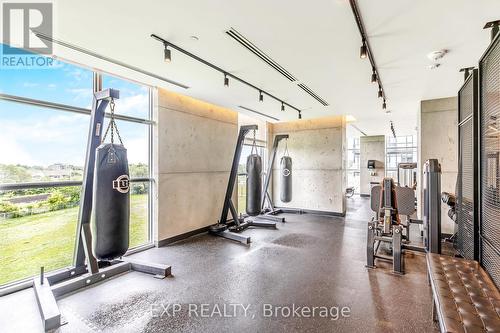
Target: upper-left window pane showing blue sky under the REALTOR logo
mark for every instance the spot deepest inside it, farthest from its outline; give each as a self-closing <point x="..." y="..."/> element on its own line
<point x="61" y="83"/>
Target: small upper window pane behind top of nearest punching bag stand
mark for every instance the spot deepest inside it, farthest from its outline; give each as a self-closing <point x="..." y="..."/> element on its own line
<point x="134" y="98"/>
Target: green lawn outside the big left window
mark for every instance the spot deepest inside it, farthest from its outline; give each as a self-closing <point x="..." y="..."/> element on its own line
<point x="48" y="239"/>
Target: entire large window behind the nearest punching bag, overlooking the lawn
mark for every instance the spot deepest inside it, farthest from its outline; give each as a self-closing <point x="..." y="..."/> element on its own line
<point x="42" y="159"/>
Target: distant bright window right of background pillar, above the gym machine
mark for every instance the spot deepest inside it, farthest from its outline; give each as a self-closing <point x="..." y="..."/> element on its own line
<point x="400" y="149"/>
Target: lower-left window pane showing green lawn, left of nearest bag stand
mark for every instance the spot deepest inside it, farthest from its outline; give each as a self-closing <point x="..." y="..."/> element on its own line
<point x="37" y="228"/>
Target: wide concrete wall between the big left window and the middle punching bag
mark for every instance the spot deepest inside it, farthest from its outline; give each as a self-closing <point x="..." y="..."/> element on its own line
<point x="194" y="145"/>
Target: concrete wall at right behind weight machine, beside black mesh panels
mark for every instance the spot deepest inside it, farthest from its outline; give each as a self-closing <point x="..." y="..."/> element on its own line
<point x="438" y="135"/>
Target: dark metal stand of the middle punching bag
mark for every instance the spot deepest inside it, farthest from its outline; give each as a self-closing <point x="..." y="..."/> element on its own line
<point x="230" y="229"/>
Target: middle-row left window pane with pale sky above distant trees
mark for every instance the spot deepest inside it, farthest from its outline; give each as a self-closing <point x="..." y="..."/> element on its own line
<point x="40" y="144"/>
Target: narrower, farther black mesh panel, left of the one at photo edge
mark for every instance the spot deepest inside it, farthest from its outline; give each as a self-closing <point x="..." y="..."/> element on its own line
<point x="466" y="241"/>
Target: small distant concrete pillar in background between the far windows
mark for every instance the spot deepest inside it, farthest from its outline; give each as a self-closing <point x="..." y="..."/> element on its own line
<point x="371" y="148"/>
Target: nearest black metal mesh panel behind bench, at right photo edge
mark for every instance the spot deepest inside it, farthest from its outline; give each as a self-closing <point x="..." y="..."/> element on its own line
<point x="490" y="148"/>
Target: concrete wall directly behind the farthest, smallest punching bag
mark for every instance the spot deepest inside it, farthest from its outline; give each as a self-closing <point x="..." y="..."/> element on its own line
<point x="317" y="148"/>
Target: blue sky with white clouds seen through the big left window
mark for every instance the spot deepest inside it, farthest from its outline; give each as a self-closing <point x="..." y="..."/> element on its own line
<point x="39" y="136"/>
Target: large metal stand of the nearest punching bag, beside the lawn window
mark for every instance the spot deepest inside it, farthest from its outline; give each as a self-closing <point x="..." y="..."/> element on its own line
<point x="86" y="270"/>
